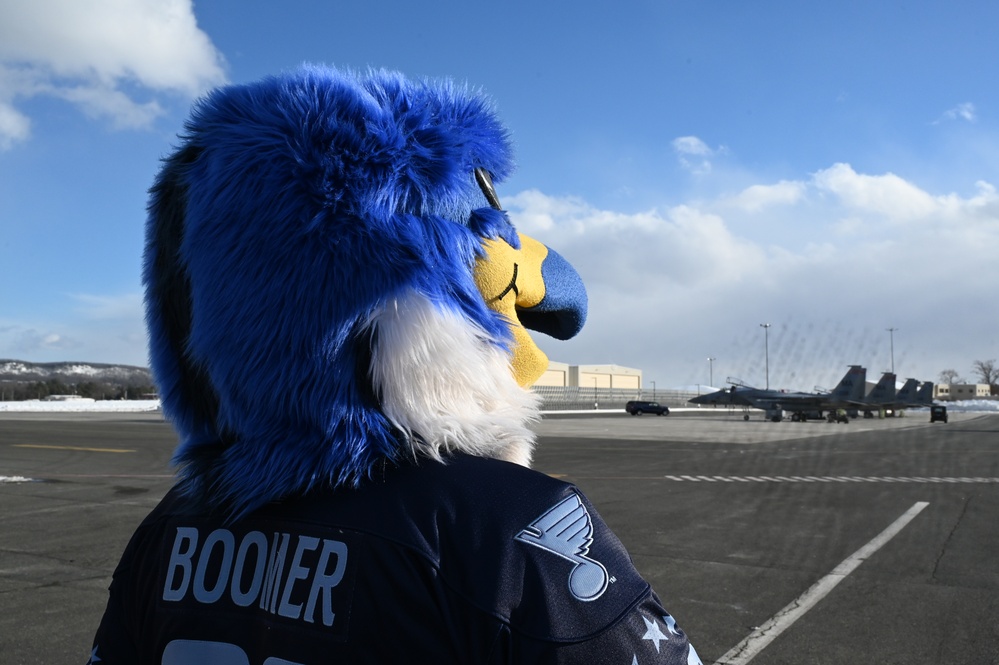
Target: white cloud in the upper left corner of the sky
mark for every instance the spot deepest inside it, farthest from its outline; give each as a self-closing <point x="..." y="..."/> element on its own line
<point x="94" y="54"/>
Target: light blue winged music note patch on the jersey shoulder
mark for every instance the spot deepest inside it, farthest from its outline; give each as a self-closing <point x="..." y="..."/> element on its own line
<point x="566" y="530"/>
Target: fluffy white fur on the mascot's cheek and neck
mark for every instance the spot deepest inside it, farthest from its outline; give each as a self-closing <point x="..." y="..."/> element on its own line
<point x="447" y="385"/>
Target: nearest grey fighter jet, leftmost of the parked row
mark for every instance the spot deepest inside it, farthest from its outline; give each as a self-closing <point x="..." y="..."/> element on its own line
<point x="848" y="393"/>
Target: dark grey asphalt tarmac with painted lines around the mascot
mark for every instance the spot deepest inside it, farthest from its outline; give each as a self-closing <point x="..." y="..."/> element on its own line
<point x="771" y="543"/>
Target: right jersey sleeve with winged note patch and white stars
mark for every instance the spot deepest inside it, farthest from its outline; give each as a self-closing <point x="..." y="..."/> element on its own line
<point x="584" y="601"/>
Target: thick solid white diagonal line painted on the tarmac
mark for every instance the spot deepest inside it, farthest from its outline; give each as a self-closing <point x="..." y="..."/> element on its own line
<point x="758" y="640"/>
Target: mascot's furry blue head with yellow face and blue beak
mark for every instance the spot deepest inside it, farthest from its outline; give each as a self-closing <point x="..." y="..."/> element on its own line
<point x="331" y="283"/>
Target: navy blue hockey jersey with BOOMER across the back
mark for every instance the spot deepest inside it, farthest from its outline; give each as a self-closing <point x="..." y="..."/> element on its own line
<point x="473" y="561"/>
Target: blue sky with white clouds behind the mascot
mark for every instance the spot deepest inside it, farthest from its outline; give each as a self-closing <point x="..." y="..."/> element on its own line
<point x="828" y="168"/>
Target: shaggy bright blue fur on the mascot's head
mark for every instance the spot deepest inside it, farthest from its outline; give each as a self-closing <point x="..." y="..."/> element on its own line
<point x="294" y="208"/>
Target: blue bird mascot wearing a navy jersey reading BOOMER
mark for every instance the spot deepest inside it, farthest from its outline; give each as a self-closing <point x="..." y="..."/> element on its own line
<point x="336" y="305"/>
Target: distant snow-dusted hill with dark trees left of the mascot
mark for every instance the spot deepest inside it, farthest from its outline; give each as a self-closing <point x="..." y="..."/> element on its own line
<point x="21" y="380"/>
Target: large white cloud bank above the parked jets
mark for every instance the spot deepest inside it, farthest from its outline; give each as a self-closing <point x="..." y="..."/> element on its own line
<point x="670" y="287"/>
